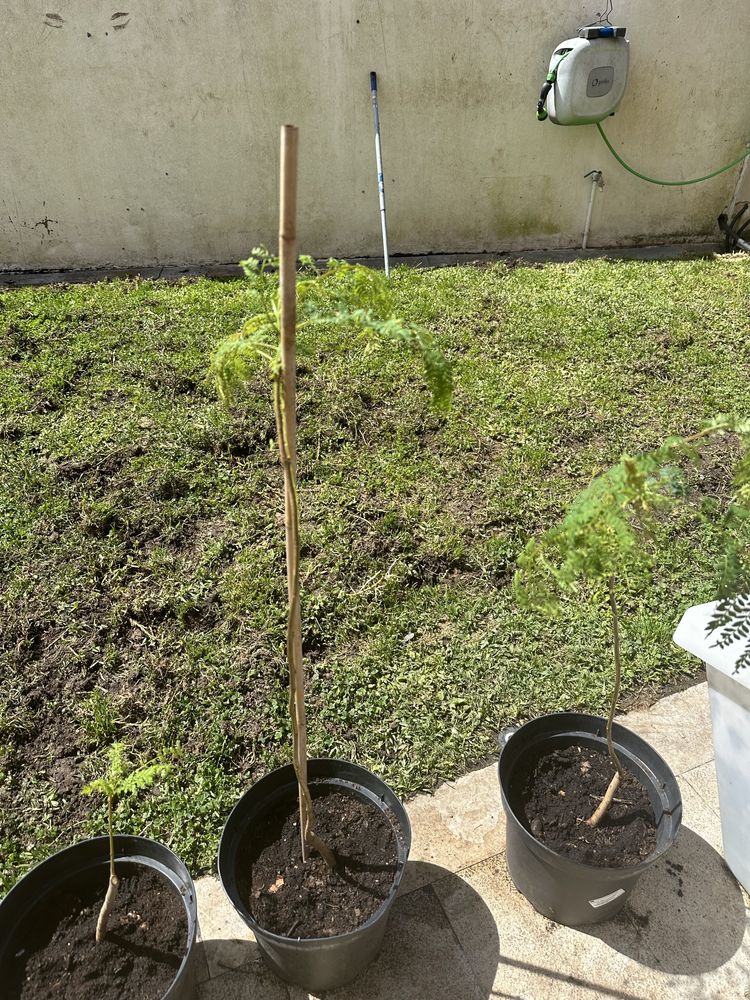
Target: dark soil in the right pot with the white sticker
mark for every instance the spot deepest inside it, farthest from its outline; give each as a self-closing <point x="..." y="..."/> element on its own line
<point x="563" y="788"/>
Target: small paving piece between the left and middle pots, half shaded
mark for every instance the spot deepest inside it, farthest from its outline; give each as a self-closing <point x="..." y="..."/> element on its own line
<point x="226" y="941"/>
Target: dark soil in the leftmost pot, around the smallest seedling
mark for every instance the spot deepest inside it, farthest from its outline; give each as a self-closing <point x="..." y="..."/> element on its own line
<point x="143" y="948"/>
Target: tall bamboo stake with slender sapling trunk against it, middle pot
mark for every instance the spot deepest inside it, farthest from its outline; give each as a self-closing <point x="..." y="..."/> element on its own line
<point x="285" y="405"/>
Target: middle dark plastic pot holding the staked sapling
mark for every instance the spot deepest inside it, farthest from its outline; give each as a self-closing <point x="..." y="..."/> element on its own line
<point x="315" y="964"/>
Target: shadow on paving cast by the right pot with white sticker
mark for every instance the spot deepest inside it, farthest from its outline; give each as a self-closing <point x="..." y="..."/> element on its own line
<point x="686" y="916"/>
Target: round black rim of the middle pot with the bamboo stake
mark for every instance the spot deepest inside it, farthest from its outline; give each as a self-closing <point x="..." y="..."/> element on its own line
<point x="404" y="837"/>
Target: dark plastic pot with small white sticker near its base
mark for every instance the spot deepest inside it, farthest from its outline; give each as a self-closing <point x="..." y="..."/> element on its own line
<point x="564" y="890"/>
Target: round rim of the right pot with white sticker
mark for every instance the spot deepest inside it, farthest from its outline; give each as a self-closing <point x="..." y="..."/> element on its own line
<point x="604" y="871"/>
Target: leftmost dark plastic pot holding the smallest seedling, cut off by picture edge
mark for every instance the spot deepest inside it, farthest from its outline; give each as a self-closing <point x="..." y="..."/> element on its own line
<point x="83" y="861"/>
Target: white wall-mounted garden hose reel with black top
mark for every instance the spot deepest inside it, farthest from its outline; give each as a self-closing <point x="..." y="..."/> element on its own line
<point x="586" y="78"/>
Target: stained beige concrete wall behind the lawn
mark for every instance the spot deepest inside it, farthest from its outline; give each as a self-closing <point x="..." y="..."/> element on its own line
<point x="148" y="133"/>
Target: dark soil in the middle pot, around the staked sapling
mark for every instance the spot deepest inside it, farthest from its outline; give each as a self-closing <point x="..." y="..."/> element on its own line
<point x="309" y="900"/>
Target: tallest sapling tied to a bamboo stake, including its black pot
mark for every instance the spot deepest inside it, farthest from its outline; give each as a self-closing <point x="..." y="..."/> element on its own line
<point x="312" y="855"/>
